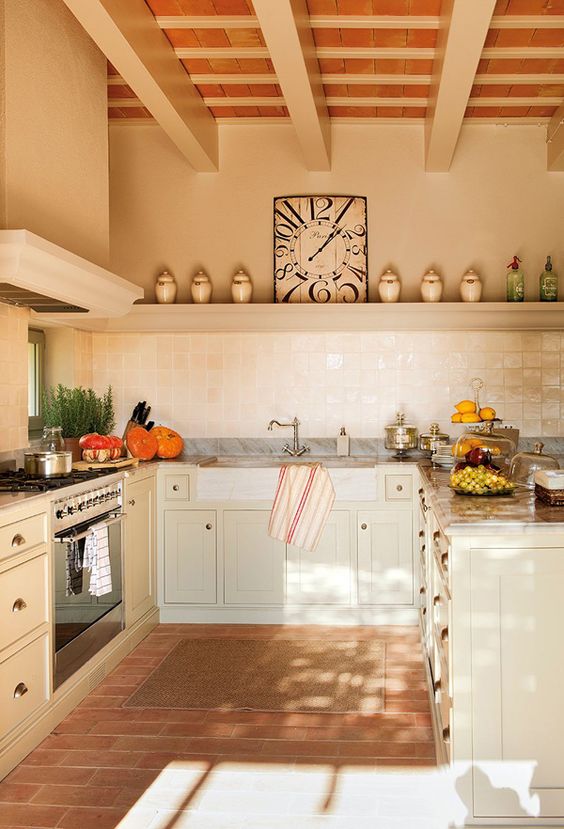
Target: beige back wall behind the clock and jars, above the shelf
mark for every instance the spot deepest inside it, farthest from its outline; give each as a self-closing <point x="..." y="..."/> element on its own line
<point x="497" y="200"/>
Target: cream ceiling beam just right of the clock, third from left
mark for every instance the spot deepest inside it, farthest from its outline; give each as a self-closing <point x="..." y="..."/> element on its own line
<point x="464" y="27"/>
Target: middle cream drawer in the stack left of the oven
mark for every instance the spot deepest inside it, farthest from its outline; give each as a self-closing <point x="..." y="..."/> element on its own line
<point x="23" y="599"/>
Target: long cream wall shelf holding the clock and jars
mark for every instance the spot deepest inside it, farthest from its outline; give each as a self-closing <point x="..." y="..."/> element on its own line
<point x="403" y="316"/>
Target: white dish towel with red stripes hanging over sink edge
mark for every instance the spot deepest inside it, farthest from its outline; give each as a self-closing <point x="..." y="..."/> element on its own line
<point x="304" y="498"/>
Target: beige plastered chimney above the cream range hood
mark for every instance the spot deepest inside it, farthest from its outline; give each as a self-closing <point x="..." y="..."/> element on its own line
<point x="56" y="145"/>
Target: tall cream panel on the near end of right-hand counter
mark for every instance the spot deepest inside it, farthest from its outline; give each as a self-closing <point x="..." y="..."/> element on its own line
<point x="517" y="680"/>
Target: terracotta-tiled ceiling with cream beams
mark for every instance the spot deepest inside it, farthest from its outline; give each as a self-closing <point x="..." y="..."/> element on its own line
<point x="441" y="63"/>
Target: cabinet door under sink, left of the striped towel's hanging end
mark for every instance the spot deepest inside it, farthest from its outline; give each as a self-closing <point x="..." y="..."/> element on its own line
<point x="255" y="564"/>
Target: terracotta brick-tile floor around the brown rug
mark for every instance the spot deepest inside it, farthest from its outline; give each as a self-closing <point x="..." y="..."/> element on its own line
<point x="105" y="765"/>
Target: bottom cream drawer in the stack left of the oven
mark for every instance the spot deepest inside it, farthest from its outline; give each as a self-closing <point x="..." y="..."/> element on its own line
<point x="23" y="683"/>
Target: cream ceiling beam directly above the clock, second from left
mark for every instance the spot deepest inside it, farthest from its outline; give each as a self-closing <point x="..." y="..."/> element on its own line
<point x="287" y="33"/>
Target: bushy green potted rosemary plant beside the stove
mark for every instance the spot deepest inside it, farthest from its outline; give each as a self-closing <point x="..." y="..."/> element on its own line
<point x="78" y="411"/>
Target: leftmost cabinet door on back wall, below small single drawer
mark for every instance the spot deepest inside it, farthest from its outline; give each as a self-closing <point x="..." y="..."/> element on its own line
<point x="190" y="556"/>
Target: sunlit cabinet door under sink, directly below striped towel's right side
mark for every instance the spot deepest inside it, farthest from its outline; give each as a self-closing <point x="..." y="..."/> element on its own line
<point x="323" y="576"/>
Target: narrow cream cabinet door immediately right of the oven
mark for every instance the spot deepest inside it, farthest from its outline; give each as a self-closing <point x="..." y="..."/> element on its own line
<point x="140" y="553"/>
